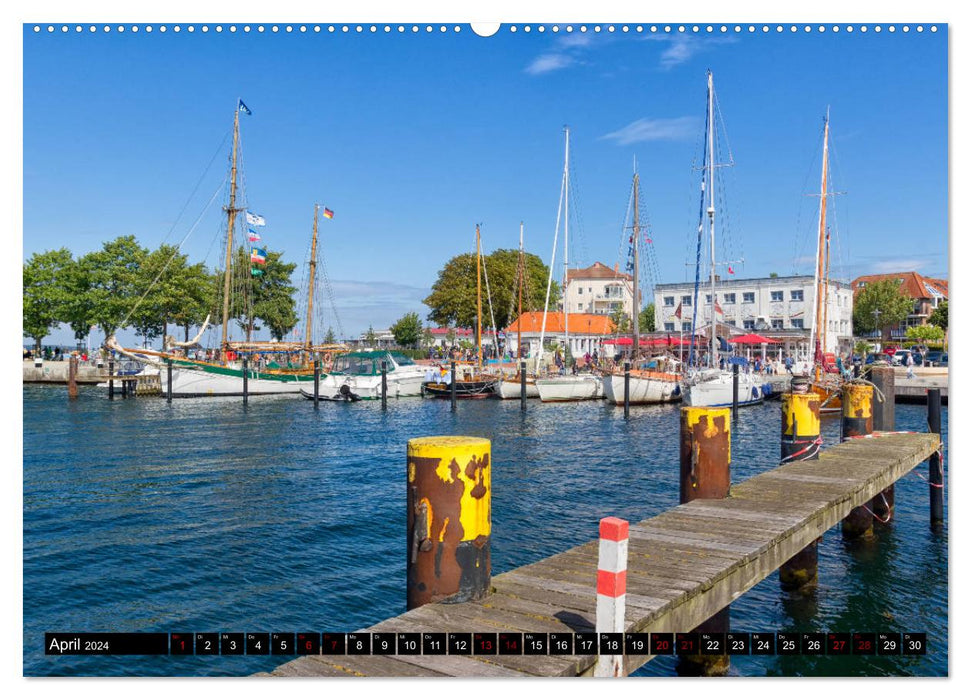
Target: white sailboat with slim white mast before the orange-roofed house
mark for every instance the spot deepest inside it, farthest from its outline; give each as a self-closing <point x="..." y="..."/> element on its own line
<point x="565" y="387"/>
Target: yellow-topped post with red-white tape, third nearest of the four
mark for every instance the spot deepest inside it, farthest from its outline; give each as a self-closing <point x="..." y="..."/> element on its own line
<point x="800" y="441"/>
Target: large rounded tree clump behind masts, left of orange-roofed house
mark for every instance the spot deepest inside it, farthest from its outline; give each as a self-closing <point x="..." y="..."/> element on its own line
<point x="453" y="297"/>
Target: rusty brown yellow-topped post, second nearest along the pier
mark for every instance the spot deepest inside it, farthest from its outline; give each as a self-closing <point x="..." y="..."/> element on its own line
<point x="706" y="473"/>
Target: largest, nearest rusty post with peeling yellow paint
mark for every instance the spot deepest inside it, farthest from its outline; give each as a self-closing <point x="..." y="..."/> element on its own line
<point x="449" y="519"/>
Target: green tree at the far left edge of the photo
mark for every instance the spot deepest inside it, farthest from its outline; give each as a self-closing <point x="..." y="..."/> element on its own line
<point x="46" y="292"/>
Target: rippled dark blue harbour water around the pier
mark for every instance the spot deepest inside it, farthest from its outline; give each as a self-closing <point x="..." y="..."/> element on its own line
<point x="207" y="515"/>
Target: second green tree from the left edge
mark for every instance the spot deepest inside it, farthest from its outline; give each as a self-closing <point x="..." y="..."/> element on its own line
<point x="111" y="282"/>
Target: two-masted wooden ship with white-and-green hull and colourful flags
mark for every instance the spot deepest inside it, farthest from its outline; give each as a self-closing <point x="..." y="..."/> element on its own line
<point x="224" y="377"/>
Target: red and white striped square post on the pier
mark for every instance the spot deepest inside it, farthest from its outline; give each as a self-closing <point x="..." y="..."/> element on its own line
<point x="611" y="590"/>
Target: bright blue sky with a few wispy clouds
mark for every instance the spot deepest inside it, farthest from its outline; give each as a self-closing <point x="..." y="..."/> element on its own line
<point x="412" y="139"/>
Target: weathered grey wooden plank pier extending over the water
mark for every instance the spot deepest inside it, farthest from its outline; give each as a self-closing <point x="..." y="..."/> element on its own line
<point x="684" y="566"/>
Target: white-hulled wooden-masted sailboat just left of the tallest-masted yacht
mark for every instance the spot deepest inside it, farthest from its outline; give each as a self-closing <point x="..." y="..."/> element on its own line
<point x="647" y="382"/>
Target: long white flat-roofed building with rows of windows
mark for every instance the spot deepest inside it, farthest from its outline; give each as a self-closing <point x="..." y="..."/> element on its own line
<point x="778" y="307"/>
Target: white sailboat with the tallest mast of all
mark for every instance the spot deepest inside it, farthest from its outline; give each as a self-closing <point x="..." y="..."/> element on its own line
<point x="710" y="385"/>
